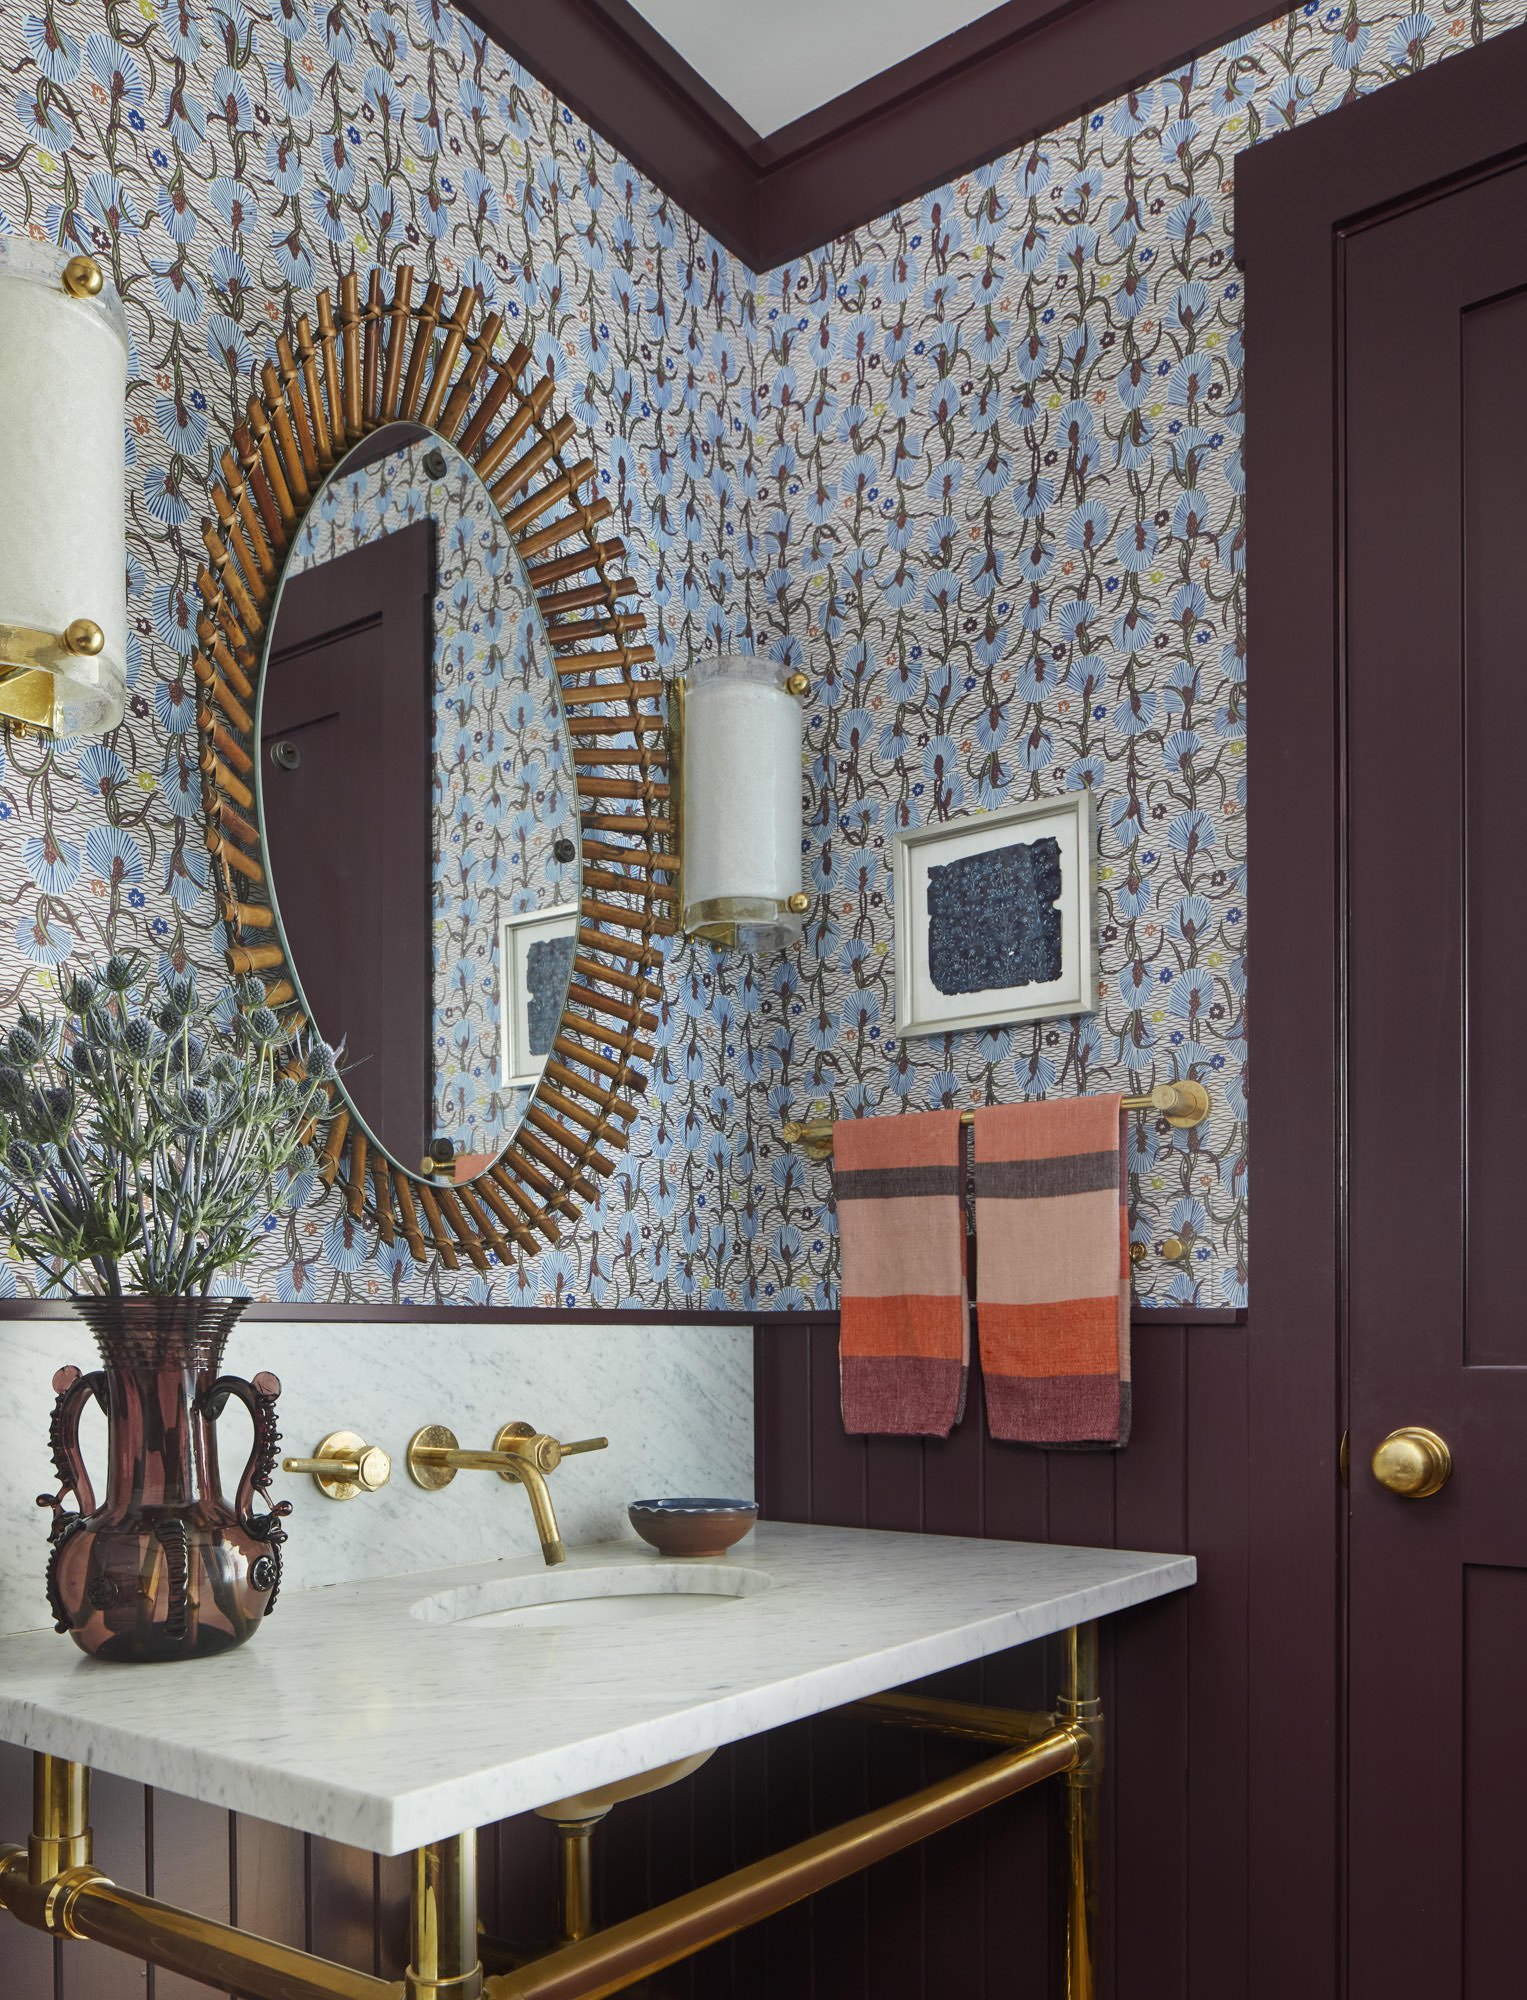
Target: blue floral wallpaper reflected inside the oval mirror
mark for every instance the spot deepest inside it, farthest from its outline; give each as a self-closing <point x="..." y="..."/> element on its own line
<point x="503" y="777"/>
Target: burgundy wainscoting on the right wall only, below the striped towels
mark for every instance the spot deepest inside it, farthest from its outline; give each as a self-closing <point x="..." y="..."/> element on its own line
<point x="974" y="1911"/>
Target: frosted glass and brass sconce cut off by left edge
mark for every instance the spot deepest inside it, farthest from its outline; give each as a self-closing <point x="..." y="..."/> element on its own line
<point x="63" y="469"/>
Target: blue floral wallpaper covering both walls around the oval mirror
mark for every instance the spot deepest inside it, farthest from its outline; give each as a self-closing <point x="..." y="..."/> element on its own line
<point x="974" y="467"/>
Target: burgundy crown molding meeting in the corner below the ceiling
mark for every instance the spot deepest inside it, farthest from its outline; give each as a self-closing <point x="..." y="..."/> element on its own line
<point x="970" y="97"/>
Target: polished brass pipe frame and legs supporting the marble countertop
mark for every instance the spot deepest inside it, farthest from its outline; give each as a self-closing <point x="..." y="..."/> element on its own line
<point x="55" y="1887"/>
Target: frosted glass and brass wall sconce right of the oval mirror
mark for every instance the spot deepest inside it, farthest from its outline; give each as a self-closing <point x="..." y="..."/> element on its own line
<point x="737" y="723"/>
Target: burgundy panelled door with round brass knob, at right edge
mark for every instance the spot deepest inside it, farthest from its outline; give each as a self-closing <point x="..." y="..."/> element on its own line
<point x="1436" y="527"/>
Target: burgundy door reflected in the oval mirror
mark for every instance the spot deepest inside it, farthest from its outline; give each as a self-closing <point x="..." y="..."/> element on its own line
<point x="347" y="745"/>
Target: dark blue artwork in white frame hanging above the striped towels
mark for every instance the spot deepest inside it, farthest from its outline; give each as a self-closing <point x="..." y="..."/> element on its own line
<point x="996" y="917"/>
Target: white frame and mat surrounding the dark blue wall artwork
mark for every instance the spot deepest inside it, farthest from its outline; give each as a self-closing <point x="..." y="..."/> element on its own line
<point x="924" y="1005"/>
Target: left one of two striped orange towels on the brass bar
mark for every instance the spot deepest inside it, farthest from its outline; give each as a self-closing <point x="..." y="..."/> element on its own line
<point x="904" y="1335"/>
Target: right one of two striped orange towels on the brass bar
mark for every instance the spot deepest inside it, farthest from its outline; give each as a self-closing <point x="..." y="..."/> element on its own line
<point x="1052" y="1225"/>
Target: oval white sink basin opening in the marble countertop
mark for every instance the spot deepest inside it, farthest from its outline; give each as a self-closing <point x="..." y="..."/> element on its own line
<point x="617" y="1595"/>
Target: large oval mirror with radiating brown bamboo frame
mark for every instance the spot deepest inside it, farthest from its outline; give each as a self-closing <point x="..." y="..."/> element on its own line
<point x="545" y="1129"/>
